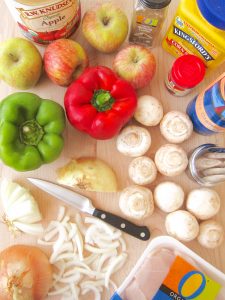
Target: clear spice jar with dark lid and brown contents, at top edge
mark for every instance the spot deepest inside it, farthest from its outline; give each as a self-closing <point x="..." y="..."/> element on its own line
<point x="147" y="21"/>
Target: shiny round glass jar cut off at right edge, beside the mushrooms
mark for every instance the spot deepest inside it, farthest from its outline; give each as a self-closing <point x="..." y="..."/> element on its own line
<point x="207" y="164"/>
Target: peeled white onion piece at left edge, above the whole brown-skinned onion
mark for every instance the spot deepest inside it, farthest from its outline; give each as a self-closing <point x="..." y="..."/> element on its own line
<point x="21" y="211"/>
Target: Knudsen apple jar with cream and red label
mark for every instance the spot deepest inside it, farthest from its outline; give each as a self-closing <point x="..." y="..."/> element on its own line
<point x="44" y="21"/>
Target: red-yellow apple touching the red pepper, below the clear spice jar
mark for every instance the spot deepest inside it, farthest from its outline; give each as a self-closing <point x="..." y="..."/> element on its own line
<point x="136" y="64"/>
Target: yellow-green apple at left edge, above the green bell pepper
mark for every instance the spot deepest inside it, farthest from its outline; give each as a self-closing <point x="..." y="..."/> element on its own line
<point x="20" y="63"/>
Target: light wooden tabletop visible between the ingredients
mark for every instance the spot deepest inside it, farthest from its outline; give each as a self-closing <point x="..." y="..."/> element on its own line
<point x="79" y="145"/>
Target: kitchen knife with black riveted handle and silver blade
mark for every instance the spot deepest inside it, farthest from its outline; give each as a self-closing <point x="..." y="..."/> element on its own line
<point x="84" y="204"/>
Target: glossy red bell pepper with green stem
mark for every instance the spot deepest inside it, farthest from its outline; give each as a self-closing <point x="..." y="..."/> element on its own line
<point x="100" y="103"/>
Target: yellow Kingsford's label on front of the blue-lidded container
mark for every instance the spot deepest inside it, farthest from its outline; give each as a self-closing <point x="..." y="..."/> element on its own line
<point x="182" y="38"/>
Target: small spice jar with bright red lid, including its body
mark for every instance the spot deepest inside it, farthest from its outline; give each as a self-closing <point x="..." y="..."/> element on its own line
<point x="187" y="71"/>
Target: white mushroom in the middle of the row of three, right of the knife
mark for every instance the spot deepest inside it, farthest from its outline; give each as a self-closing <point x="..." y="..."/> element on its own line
<point x="169" y="196"/>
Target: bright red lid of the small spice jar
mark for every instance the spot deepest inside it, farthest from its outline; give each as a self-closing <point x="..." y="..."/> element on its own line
<point x="187" y="71"/>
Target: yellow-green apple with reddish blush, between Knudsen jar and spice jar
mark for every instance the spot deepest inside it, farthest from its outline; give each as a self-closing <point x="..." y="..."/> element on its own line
<point x="105" y="27"/>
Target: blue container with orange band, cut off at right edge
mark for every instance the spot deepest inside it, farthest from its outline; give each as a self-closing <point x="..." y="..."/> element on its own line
<point x="207" y="110"/>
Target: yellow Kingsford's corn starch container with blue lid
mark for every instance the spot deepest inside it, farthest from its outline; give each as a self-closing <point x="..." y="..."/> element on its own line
<point x="198" y="28"/>
